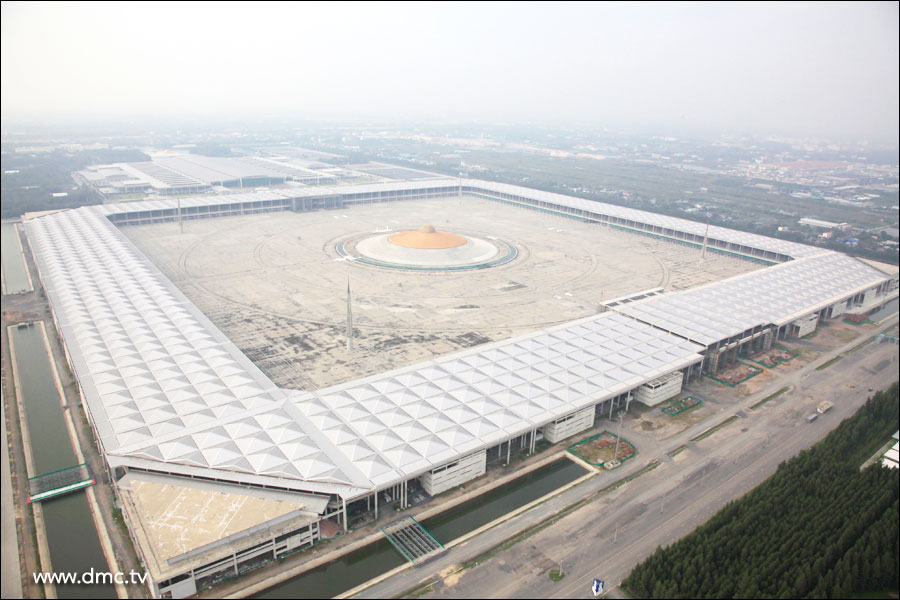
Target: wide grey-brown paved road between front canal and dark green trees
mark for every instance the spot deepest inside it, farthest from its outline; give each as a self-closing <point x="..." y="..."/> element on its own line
<point x="608" y="537"/>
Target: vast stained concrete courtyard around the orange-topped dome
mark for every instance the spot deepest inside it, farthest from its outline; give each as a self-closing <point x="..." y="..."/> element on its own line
<point x="275" y="286"/>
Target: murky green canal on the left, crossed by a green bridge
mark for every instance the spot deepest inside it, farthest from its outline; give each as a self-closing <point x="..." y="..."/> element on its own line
<point x="71" y="534"/>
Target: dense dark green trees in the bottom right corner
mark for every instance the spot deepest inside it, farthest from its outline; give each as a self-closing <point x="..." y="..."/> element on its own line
<point x="818" y="528"/>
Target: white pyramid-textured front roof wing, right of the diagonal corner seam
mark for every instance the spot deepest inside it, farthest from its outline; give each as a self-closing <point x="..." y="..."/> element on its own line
<point x="396" y="425"/>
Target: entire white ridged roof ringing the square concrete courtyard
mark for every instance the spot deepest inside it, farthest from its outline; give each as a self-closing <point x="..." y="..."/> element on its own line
<point x="167" y="391"/>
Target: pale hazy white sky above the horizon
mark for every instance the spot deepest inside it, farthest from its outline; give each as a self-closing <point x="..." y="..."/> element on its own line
<point x="804" y="69"/>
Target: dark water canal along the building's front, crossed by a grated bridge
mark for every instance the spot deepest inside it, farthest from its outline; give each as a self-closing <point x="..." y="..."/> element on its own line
<point x="360" y="566"/>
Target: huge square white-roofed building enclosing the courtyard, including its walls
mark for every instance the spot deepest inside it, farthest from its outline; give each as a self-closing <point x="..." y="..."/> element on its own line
<point x="172" y="401"/>
